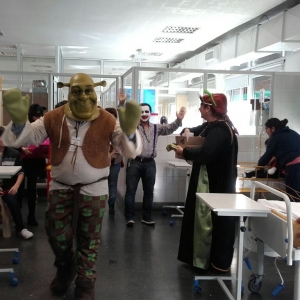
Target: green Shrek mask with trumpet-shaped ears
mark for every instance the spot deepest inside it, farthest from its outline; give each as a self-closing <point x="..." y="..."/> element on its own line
<point x="82" y="98"/>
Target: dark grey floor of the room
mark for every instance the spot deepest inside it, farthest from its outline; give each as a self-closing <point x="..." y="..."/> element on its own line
<point x="134" y="264"/>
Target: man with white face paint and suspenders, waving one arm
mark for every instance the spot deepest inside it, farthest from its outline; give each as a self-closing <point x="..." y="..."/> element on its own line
<point x="143" y="166"/>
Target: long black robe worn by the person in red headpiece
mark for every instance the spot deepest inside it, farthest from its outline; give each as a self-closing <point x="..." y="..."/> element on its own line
<point x="219" y="154"/>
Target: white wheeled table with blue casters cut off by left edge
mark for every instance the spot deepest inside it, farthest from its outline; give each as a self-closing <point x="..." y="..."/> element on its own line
<point x="8" y="172"/>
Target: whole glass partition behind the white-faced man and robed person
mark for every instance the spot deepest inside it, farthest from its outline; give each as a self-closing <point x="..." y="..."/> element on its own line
<point x="166" y="90"/>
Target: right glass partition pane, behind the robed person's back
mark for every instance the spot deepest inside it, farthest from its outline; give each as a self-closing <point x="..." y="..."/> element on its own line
<point x="247" y="110"/>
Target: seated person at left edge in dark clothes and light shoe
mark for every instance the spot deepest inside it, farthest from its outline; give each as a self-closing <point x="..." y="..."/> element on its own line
<point x="9" y="187"/>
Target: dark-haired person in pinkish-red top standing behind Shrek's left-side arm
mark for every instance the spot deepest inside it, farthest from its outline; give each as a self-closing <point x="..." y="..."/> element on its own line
<point x="34" y="163"/>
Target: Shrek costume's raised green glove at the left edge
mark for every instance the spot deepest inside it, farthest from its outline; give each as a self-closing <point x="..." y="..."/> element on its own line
<point x="16" y="105"/>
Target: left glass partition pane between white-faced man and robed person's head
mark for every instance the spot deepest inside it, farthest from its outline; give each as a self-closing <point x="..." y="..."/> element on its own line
<point x="167" y="92"/>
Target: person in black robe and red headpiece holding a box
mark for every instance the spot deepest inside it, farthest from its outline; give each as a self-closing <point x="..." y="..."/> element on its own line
<point x="206" y="239"/>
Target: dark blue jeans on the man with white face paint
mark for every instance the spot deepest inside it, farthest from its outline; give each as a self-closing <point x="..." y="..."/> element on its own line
<point x="135" y="171"/>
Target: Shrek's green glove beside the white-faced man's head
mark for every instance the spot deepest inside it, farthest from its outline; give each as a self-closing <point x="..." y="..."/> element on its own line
<point x="129" y="117"/>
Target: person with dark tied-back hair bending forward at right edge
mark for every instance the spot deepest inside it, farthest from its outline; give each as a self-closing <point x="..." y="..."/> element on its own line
<point x="284" y="144"/>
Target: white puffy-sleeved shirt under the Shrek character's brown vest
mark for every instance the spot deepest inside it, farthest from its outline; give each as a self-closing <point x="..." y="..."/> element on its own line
<point x="80" y="172"/>
